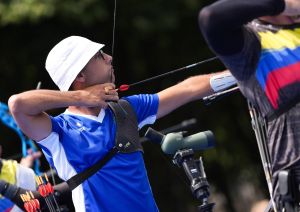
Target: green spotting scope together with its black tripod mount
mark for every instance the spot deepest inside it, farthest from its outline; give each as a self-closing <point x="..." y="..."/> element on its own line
<point x="183" y="150"/>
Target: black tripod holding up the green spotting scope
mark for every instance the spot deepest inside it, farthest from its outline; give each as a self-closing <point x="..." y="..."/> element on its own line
<point x="194" y="169"/>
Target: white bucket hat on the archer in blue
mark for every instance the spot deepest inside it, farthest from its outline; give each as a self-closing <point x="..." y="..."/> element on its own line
<point x="65" y="60"/>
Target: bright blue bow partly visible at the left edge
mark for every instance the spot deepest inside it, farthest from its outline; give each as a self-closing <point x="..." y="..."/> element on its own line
<point x="9" y="121"/>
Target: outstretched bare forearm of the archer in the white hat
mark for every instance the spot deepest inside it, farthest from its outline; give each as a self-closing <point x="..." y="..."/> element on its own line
<point x="188" y="90"/>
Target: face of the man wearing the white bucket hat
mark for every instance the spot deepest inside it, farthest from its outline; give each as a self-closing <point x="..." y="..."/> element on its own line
<point x="99" y="69"/>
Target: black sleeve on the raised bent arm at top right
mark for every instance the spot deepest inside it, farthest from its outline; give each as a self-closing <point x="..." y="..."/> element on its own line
<point x="222" y="23"/>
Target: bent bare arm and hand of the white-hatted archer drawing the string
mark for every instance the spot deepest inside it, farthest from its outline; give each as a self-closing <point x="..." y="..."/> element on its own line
<point x="28" y="108"/>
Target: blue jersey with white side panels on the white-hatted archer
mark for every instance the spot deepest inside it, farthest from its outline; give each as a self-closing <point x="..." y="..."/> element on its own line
<point x="79" y="141"/>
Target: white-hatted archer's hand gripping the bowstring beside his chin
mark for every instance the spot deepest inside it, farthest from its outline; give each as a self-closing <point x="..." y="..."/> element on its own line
<point x="99" y="95"/>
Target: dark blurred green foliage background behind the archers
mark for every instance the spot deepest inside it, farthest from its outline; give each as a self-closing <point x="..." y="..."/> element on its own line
<point x="151" y="37"/>
